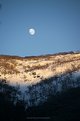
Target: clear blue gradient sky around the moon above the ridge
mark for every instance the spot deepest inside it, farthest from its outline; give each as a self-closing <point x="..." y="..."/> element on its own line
<point x="57" y="25"/>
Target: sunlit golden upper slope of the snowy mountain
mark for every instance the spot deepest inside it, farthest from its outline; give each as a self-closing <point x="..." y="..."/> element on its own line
<point x="32" y="70"/>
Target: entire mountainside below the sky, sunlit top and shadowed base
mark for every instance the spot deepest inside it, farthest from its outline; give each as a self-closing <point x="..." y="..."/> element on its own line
<point x="40" y="87"/>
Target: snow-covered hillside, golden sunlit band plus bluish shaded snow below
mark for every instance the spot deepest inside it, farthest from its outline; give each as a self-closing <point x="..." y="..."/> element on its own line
<point x="30" y="72"/>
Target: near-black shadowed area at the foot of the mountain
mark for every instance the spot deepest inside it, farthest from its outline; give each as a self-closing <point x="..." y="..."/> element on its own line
<point x="64" y="106"/>
